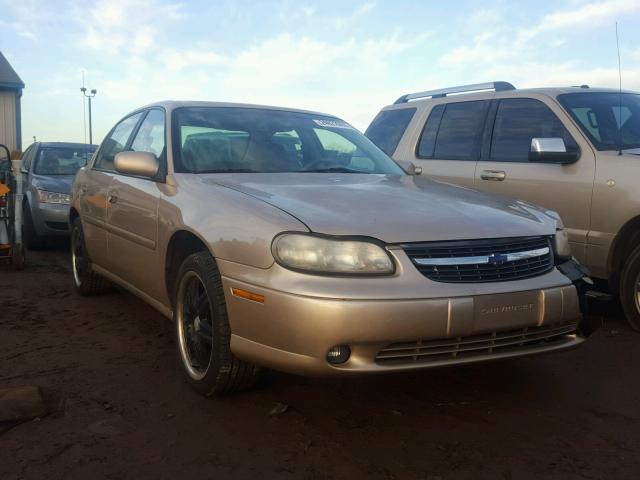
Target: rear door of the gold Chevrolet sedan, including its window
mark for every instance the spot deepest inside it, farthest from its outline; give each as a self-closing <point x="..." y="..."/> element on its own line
<point x="92" y="190"/>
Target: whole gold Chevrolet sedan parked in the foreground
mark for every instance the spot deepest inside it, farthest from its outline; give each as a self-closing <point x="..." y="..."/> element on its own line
<point x="285" y="239"/>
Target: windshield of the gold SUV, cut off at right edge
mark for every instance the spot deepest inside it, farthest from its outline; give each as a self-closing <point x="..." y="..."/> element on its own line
<point x="610" y="120"/>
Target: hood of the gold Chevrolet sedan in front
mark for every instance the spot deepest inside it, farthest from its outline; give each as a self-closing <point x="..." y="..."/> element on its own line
<point x="394" y="209"/>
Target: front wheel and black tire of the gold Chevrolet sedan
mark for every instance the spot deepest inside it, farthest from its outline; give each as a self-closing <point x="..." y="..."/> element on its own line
<point x="199" y="293"/>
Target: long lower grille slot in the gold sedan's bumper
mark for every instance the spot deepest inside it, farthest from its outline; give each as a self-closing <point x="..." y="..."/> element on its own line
<point x="528" y="338"/>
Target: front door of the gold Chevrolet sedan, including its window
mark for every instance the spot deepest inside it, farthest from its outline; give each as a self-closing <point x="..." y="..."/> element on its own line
<point x="132" y="213"/>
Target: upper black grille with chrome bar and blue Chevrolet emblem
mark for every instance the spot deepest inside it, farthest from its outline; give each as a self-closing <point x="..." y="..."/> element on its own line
<point x="478" y="261"/>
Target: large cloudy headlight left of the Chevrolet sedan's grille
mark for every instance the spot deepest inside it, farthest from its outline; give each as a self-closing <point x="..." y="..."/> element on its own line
<point x="317" y="254"/>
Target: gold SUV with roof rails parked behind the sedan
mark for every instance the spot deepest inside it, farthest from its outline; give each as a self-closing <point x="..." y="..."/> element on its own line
<point x="574" y="150"/>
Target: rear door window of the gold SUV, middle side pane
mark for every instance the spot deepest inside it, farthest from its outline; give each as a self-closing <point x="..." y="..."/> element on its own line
<point x="453" y="131"/>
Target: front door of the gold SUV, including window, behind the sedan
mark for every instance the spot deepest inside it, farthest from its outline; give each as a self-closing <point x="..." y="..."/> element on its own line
<point x="505" y="167"/>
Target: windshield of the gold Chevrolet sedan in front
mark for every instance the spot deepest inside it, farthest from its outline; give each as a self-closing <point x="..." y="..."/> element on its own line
<point x="250" y="140"/>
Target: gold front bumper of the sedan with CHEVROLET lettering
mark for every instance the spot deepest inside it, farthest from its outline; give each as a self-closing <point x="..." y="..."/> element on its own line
<point x="292" y="331"/>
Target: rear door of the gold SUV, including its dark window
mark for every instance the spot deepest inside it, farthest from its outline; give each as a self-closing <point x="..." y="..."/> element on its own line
<point x="449" y="145"/>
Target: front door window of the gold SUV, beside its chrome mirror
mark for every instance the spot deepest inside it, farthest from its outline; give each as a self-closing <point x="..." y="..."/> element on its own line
<point x="518" y="120"/>
